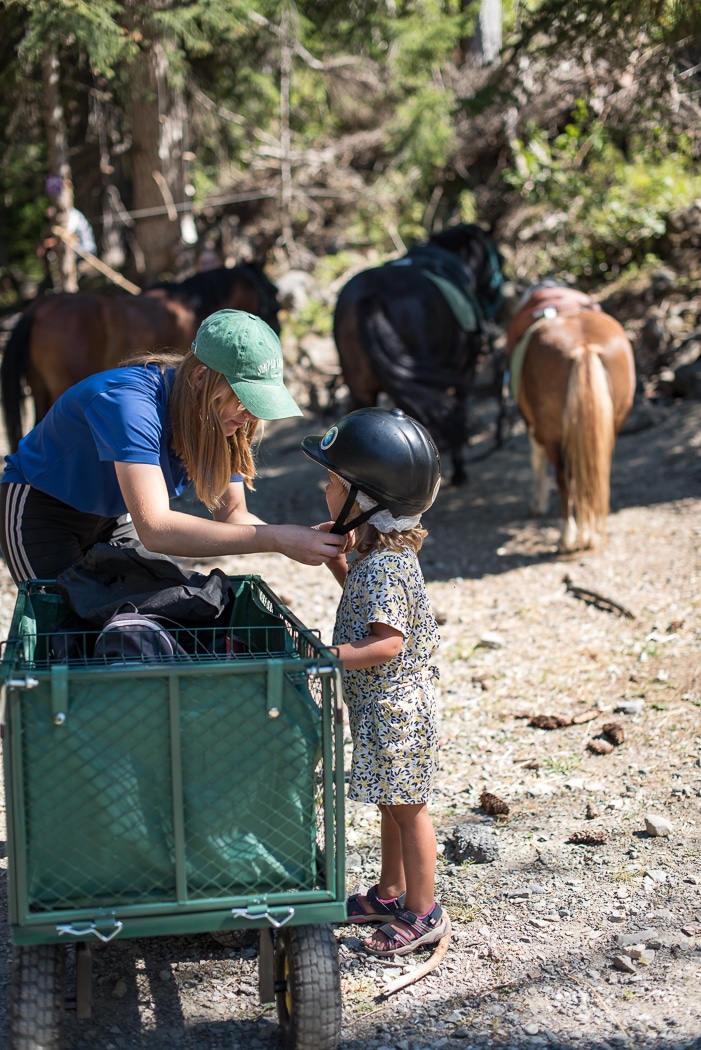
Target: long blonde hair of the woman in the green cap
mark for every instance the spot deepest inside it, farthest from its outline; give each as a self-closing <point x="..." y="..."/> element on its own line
<point x="210" y="457"/>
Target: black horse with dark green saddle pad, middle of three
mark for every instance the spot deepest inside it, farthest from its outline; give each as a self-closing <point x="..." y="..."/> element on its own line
<point x="415" y="328"/>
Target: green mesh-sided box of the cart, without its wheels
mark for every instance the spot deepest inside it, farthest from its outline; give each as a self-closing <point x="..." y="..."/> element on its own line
<point x="189" y="783"/>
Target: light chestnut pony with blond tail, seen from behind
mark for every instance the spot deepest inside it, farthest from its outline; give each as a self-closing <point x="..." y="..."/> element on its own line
<point x="576" y="389"/>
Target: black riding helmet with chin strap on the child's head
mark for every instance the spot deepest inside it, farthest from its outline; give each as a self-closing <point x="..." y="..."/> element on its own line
<point x="387" y="455"/>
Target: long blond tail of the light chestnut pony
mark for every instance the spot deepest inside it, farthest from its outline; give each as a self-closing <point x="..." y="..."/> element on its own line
<point x="589" y="438"/>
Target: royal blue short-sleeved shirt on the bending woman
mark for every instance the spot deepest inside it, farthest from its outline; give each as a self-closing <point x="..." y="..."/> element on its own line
<point x="120" y="416"/>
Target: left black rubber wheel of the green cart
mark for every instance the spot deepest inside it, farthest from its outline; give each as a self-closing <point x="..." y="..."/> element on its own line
<point x="37" y="997"/>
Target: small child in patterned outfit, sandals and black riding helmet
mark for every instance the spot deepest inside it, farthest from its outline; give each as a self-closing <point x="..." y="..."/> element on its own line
<point x="384" y="473"/>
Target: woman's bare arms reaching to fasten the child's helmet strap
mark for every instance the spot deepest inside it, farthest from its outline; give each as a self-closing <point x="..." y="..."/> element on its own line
<point x="169" y="532"/>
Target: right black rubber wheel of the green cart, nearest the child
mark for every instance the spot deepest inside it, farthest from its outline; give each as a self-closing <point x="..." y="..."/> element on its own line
<point x="308" y="988"/>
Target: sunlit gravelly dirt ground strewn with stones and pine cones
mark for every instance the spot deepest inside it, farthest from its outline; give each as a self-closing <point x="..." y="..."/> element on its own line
<point x="535" y="958"/>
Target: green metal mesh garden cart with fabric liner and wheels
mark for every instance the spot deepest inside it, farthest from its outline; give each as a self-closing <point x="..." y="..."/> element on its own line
<point x="180" y="795"/>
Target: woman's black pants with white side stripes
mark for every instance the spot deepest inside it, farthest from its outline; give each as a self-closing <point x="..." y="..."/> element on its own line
<point x="40" y="537"/>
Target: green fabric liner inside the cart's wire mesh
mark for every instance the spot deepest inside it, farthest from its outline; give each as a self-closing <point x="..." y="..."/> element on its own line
<point x="98" y="801"/>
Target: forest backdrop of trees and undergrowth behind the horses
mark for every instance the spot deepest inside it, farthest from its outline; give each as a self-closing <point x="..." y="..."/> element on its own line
<point x="322" y="137"/>
